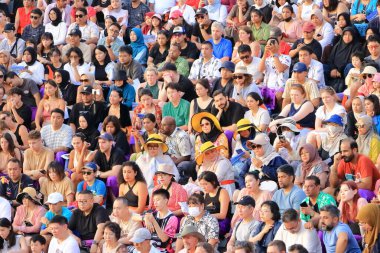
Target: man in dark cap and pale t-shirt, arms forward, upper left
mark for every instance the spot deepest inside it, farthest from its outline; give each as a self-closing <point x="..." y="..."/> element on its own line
<point x="74" y="40"/>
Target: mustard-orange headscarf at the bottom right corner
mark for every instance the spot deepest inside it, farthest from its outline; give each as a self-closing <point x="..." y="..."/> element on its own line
<point x="370" y="214"/>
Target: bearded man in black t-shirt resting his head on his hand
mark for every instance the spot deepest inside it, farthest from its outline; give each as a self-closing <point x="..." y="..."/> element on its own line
<point x="227" y="112"/>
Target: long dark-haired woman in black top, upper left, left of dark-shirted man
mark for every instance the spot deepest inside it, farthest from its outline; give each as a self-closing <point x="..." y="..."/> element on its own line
<point x="103" y="66"/>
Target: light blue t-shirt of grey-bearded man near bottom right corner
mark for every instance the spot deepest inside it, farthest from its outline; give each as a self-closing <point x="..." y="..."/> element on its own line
<point x="331" y="237"/>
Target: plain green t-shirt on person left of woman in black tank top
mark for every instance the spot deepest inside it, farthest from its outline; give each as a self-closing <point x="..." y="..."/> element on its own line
<point x="179" y="113"/>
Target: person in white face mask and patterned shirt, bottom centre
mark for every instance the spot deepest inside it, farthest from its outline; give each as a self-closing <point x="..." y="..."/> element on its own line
<point x="206" y="224"/>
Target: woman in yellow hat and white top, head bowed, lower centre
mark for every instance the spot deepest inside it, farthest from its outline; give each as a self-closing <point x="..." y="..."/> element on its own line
<point x="210" y="159"/>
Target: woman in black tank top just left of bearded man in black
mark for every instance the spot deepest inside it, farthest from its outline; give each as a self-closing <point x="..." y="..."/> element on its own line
<point x="203" y="103"/>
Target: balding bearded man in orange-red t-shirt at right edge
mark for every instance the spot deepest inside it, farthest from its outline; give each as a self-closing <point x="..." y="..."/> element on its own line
<point x="350" y="165"/>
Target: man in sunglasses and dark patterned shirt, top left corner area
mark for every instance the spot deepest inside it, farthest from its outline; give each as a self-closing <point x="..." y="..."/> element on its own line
<point x="35" y="30"/>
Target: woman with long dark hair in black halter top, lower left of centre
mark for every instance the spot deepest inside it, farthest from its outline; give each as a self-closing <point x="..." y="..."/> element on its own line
<point x="133" y="187"/>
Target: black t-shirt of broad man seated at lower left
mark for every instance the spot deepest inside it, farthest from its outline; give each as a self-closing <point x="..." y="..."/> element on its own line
<point x="85" y="226"/>
